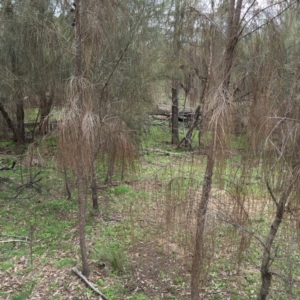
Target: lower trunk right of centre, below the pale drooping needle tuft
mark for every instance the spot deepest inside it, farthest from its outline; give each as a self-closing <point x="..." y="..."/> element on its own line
<point x="198" y="255"/>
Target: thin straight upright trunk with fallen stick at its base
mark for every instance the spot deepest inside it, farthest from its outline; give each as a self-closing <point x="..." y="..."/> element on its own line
<point x="80" y="175"/>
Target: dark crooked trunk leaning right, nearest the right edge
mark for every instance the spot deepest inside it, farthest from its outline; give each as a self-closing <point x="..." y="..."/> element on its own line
<point x="266" y="274"/>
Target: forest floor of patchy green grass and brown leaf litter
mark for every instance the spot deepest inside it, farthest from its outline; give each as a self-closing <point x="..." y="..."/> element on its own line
<point x="141" y="242"/>
